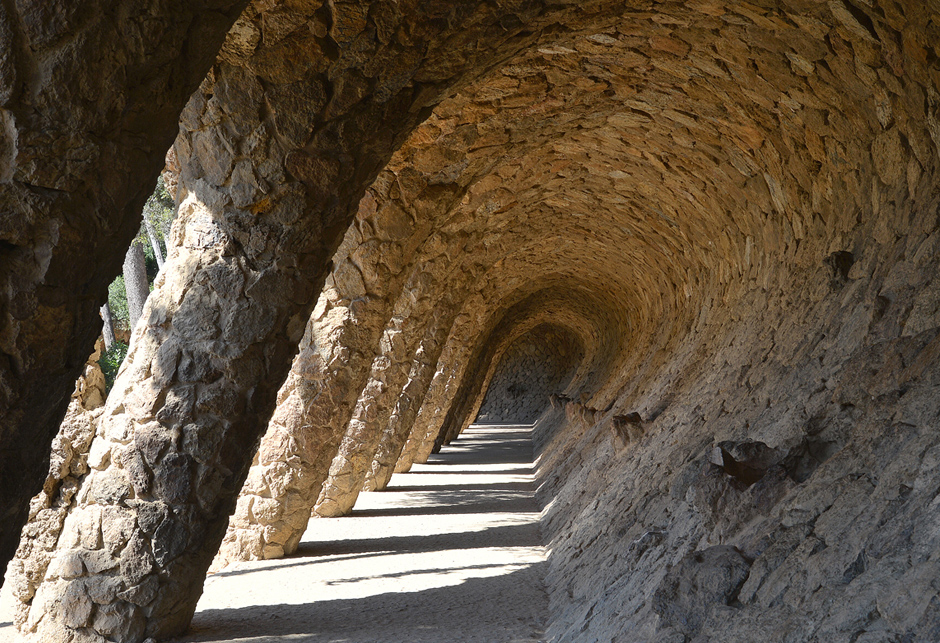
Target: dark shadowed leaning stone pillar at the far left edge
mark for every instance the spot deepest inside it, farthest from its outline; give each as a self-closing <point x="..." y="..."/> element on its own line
<point x="89" y="99"/>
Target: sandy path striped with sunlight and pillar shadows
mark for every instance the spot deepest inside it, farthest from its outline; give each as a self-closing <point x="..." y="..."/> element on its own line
<point x="450" y="552"/>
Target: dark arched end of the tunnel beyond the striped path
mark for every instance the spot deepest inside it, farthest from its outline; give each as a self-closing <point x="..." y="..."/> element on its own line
<point x="536" y="366"/>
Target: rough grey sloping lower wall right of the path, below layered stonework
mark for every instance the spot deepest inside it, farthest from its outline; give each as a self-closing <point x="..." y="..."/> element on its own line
<point x="781" y="477"/>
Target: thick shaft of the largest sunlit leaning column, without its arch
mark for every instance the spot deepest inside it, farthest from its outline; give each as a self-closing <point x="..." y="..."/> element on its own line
<point x="174" y="445"/>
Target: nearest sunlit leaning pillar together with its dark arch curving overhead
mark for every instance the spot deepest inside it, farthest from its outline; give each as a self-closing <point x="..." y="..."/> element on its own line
<point x="259" y="219"/>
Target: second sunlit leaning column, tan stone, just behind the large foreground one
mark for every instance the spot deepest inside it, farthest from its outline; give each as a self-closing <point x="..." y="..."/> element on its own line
<point x="314" y="406"/>
